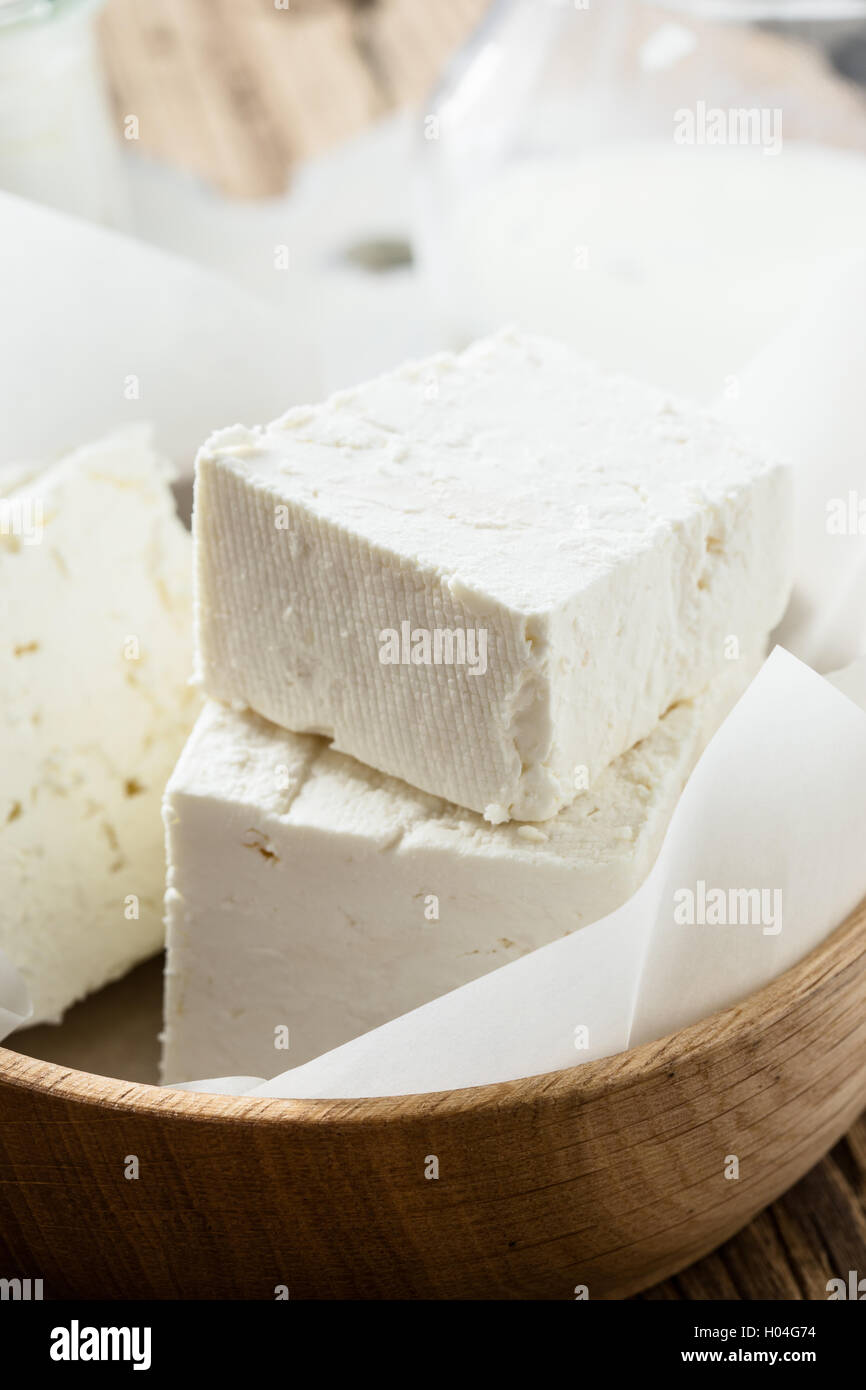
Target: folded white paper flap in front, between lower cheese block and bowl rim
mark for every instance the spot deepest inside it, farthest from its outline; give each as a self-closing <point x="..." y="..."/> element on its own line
<point x="774" y="817"/>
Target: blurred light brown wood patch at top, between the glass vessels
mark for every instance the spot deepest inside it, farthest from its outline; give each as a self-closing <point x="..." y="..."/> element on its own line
<point x="240" y="91"/>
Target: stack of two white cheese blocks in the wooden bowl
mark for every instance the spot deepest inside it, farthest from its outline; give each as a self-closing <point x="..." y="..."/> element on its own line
<point x="465" y="633"/>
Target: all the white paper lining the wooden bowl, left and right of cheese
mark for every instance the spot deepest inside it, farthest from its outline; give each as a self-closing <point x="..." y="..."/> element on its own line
<point x="776" y="806"/>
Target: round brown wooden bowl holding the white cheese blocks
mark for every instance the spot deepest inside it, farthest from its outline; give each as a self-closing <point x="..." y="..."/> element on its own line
<point x="610" y="1175"/>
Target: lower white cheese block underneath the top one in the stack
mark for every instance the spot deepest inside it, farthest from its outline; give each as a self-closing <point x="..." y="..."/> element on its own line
<point x="312" y="899"/>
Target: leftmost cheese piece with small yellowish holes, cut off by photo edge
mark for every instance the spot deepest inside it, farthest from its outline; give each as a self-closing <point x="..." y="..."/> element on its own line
<point x="95" y="700"/>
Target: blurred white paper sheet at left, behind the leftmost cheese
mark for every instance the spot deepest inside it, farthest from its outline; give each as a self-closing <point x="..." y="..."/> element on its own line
<point x="112" y="332"/>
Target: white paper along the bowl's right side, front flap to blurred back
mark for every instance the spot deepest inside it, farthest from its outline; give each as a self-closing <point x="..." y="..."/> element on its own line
<point x="776" y="806"/>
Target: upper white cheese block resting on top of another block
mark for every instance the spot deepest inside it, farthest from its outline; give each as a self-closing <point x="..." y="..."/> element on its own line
<point x="487" y="575"/>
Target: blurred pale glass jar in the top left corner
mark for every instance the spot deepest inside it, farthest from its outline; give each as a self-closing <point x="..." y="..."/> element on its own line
<point x="58" y="142"/>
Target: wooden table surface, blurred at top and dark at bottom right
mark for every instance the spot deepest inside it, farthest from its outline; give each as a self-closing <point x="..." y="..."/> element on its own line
<point x="238" y="92"/>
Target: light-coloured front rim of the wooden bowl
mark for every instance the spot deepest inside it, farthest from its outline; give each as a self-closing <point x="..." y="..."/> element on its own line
<point x="642" y="1065"/>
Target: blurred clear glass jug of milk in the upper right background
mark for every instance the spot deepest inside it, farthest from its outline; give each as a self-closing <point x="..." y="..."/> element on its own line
<point x="660" y="184"/>
